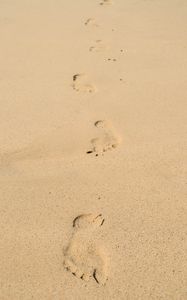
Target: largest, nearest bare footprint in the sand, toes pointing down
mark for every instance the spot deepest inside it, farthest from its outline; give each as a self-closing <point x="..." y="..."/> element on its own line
<point x="84" y="258"/>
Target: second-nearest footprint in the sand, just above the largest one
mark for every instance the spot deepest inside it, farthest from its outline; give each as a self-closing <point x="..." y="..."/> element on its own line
<point x="108" y="140"/>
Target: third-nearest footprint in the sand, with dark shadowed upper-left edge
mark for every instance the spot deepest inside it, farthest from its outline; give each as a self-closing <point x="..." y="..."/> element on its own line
<point x="81" y="84"/>
